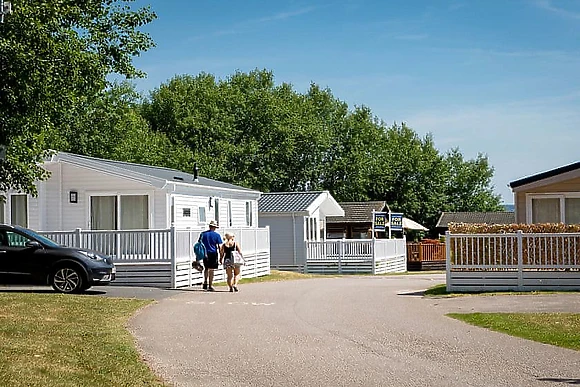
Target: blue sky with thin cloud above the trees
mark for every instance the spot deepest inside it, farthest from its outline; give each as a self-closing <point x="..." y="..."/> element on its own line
<point x="498" y="77"/>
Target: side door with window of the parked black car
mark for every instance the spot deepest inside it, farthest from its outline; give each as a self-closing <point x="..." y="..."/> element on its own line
<point x="22" y="263"/>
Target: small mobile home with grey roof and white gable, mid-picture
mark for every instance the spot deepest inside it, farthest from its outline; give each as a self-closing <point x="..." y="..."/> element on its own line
<point x="295" y="218"/>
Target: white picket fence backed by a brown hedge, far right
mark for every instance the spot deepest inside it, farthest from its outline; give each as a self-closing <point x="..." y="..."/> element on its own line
<point x="513" y="261"/>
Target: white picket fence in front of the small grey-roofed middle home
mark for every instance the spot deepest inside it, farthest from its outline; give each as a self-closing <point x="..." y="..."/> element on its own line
<point x="351" y="256"/>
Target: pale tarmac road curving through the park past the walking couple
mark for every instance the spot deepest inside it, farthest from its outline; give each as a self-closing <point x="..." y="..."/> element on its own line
<point x="347" y="331"/>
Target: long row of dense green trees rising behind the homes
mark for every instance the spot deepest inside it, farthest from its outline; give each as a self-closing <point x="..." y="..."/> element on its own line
<point x="247" y="130"/>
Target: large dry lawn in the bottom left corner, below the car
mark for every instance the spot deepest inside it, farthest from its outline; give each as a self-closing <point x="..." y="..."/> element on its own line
<point x="65" y="340"/>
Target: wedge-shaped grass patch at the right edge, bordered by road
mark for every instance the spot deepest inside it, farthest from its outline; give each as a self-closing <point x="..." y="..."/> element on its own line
<point x="560" y="329"/>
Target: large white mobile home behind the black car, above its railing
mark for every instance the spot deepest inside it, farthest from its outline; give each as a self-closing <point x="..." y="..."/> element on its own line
<point x="97" y="194"/>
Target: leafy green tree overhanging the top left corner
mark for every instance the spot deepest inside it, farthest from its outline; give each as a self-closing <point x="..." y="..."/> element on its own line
<point x="54" y="57"/>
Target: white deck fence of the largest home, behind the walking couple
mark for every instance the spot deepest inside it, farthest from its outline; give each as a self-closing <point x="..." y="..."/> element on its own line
<point x="163" y="258"/>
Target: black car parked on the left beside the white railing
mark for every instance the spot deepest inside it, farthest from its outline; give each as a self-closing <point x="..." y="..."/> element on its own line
<point x="32" y="259"/>
